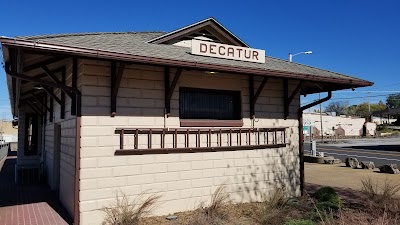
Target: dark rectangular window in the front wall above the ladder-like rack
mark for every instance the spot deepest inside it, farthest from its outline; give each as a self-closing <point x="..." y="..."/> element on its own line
<point x="209" y="104"/>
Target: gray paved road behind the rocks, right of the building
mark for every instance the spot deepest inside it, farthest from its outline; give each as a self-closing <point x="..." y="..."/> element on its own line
<point x="380" y="151"/>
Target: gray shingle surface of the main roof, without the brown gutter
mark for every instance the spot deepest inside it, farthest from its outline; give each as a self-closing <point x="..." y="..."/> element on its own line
<point x="135" y="43"/>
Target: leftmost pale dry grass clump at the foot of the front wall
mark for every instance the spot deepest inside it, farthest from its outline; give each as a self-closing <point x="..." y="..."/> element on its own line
<point x="126" y="212"/>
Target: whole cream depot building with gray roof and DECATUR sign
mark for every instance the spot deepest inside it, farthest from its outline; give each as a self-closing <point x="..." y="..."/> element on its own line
<point x="175" y="113"/>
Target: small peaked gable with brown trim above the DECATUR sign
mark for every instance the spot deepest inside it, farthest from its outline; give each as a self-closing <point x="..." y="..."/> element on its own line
<point x="209" y="25"/>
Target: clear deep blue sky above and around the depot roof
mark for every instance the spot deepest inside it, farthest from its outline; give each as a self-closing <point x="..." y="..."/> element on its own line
<point x="359" y="38"/>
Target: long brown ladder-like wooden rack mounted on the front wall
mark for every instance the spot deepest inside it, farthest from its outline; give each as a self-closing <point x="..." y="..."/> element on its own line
<point x="181" y="140"/>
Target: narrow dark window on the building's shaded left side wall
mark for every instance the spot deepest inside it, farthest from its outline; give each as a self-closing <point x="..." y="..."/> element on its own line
<point x="31" y="134"/>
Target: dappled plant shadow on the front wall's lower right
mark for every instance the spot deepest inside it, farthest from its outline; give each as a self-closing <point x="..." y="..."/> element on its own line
<point x="277" y="169"/>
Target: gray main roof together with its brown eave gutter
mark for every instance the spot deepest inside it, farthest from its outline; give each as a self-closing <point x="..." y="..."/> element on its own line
<point x="140" y="47"/>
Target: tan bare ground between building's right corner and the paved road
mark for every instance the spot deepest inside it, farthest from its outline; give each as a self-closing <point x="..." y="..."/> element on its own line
<point x="343" y="177"/>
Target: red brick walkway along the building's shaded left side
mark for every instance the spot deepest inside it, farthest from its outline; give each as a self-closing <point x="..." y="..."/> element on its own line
<point x="28" y="204"/>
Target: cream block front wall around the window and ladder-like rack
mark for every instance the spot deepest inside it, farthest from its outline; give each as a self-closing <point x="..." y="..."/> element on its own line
<point x="184" y="180"/>
